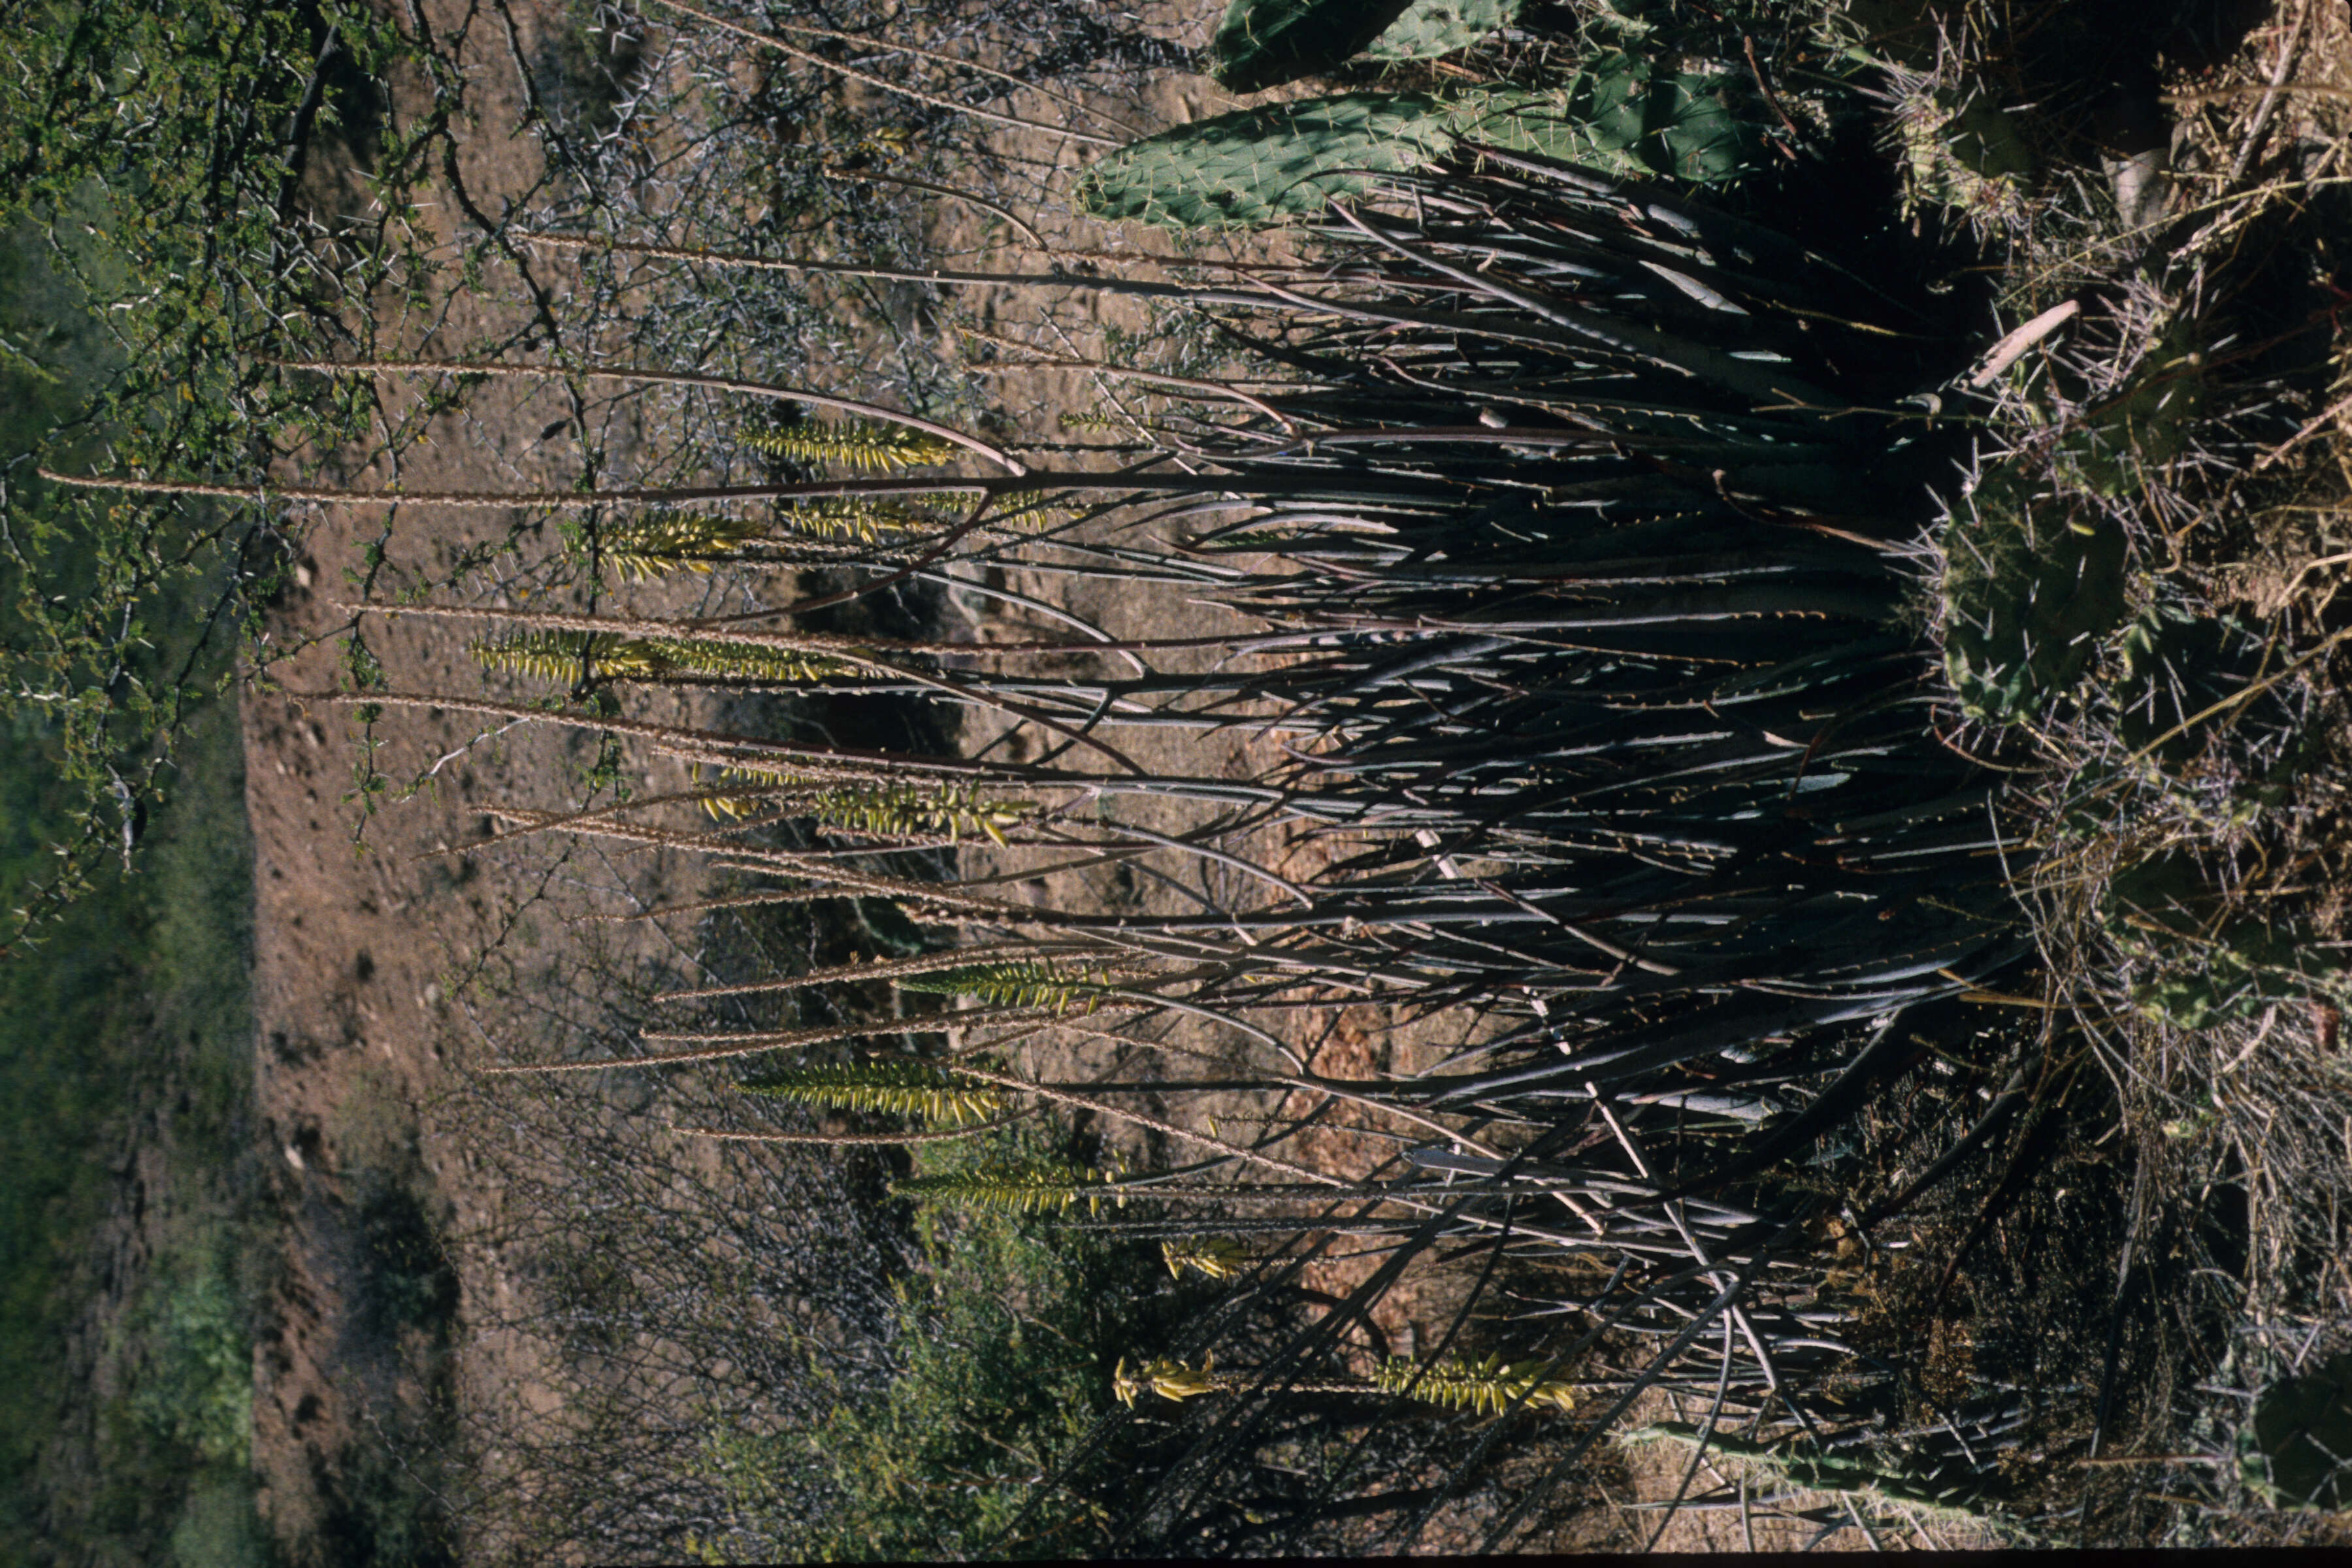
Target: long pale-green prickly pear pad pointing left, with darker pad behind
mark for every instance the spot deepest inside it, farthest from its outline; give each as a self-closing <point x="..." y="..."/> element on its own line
<point x="1288" y="161"/>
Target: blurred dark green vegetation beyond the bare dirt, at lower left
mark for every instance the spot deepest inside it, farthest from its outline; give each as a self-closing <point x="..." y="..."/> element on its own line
<point x="142" y="979"/>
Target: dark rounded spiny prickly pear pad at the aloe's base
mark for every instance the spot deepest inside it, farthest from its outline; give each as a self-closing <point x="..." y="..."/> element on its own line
<point x="2029" y="591"/>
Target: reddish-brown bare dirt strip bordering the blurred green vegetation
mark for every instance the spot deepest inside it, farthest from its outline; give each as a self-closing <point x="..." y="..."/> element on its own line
<point x="366" y="932"/>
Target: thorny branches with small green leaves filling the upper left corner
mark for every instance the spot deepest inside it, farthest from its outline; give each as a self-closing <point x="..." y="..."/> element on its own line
<point x="154" y="194"/>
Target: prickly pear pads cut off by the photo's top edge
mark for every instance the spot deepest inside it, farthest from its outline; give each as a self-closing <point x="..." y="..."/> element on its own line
<point x="1267" y="43"/>
